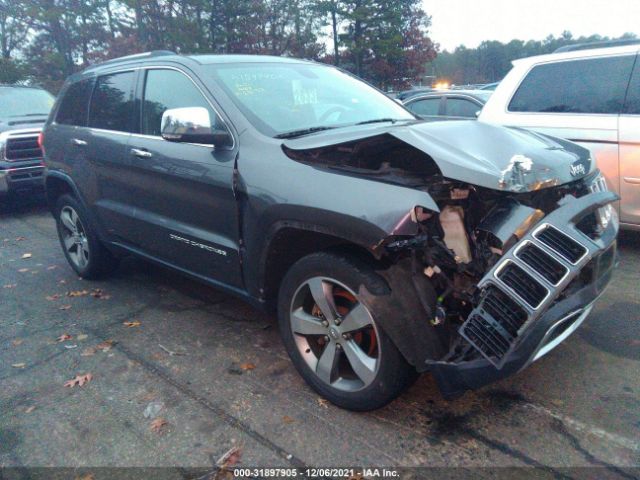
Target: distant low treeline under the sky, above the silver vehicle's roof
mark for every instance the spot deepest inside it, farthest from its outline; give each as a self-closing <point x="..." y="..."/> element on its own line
<point x="491" y="60"/>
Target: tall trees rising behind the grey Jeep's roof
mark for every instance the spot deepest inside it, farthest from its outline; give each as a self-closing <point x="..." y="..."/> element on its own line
<point x="383" y="41"/>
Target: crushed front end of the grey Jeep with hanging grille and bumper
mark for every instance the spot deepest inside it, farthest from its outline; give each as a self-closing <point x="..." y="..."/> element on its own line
<point x="513" y="274"/>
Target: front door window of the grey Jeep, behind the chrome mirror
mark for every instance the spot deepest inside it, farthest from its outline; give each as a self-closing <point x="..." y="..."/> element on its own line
<point x="165" y="89"/>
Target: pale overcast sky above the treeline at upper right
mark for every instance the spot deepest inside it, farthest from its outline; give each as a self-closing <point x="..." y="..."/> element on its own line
<point x="469" y="22"/>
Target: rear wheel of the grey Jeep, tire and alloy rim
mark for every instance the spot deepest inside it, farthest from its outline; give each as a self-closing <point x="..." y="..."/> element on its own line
<point x="80" y="244"/>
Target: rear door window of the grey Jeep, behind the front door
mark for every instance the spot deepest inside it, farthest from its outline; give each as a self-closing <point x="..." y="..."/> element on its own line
<point x="112" y="102"/>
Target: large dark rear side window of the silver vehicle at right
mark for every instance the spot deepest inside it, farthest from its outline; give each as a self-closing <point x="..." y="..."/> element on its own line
<point x="576" y="86"/>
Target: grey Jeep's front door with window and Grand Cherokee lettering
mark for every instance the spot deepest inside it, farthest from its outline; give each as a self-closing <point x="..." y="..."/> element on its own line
<point x="182" y="193"/>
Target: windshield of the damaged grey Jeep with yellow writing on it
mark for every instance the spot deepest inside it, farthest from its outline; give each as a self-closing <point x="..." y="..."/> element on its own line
<point x="284" y="98"/>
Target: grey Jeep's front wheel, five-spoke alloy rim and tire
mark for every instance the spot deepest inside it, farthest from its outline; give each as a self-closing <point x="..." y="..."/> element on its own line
<point x="334" y="338"/>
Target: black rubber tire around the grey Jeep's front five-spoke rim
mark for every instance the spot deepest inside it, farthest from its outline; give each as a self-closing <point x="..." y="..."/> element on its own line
<point x="393" y="374"/>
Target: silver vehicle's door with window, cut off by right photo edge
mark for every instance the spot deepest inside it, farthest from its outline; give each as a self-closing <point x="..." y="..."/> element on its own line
<point x="630" y="152"/>
